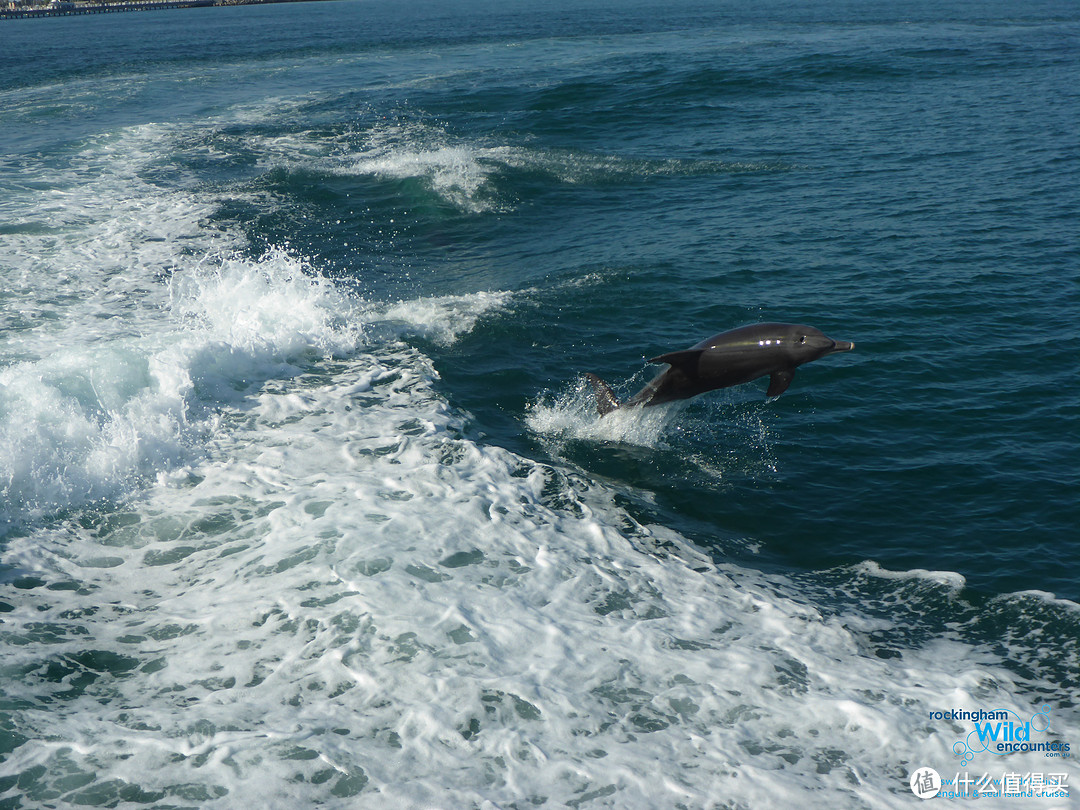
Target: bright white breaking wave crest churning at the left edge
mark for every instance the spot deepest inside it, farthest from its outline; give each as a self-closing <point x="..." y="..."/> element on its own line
<point x="87" y="424"/>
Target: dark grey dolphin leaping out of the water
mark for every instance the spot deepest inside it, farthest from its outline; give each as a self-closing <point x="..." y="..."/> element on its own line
<point x="728" y="359"/>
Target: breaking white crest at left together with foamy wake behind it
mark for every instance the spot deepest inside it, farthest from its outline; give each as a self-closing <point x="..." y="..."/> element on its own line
<point x="129" y="325"/>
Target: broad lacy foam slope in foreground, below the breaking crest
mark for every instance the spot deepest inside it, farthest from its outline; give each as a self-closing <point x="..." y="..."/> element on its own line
<point x="348" y="602"/>
